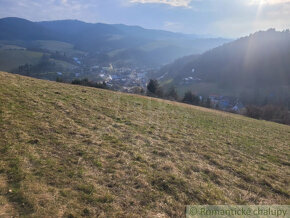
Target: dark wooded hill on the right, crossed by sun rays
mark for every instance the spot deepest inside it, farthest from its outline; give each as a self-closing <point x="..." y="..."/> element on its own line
<point x="257" y="65"/>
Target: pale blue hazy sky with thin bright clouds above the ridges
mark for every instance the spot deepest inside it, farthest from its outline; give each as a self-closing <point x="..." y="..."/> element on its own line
<point x="228" y="18"/>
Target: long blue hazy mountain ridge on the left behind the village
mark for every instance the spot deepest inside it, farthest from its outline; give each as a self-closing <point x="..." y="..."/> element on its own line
<point x="103" y="38"/>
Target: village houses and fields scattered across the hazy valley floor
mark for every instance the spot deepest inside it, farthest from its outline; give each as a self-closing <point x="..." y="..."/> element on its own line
<point x="124" y="78"/>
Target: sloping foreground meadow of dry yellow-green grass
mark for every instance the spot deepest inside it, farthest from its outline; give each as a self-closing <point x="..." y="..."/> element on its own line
<point x="74" y="151"/>
